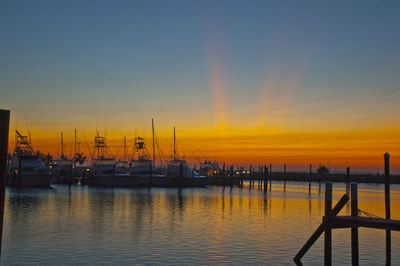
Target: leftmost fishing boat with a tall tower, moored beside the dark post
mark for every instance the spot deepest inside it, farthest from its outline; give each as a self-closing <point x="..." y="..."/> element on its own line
<point x="26" y="167"/>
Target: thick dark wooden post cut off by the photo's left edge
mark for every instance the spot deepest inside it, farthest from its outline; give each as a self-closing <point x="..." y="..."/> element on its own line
<point x="4" y="127"/>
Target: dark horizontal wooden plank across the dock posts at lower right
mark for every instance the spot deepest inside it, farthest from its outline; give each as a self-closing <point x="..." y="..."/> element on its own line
<point x="351" y="221"/>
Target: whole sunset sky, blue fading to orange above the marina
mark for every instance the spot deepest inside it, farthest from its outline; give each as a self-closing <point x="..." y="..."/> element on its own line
<point x="246" y="82"/>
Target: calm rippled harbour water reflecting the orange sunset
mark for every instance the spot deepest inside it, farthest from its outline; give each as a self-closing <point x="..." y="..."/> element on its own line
<point x="215" y="225"/>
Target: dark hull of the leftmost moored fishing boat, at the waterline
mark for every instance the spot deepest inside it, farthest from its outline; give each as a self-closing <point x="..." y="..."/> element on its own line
<point x="30" y="180"/>
